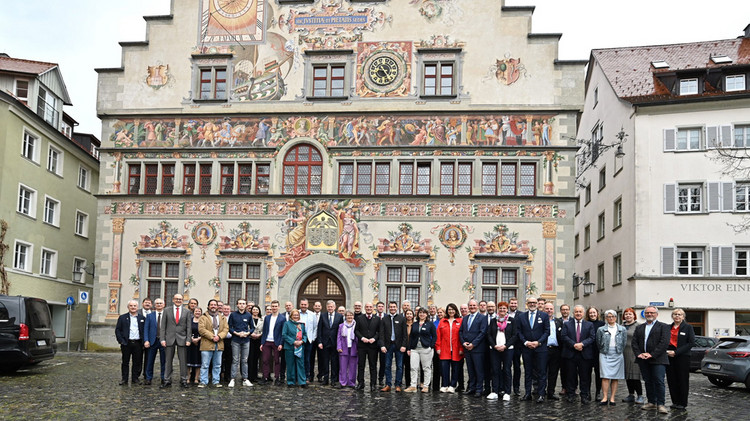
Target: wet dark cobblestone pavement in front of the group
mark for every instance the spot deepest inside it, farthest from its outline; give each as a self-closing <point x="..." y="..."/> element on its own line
<point x="84" y="386"/>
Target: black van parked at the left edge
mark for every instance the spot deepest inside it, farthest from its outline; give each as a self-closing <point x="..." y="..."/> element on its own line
<point x="26" y="335"/>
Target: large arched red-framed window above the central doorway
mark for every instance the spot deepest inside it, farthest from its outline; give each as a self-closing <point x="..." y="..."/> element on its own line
<point x="303" y="170"/>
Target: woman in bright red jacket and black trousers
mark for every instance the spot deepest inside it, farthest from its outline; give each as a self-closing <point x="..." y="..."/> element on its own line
<point x="449" y="348"/>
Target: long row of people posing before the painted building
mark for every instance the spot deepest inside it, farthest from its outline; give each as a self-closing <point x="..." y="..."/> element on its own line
<point x="431" y="347"/>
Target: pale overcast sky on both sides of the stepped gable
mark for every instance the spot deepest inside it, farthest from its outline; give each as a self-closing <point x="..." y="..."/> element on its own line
<point x="81" y="35"/>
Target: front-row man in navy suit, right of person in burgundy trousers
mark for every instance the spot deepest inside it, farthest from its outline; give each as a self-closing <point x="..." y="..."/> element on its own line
<point x="533" y="331"/>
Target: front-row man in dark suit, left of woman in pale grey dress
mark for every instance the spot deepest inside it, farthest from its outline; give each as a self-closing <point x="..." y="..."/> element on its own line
<point x="579" y="340"/>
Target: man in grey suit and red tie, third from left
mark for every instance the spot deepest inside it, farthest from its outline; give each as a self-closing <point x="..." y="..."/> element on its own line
<point x="176" y="331"/>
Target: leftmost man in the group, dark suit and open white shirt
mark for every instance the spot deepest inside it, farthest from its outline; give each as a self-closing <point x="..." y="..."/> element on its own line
<point x="129" y="334"/>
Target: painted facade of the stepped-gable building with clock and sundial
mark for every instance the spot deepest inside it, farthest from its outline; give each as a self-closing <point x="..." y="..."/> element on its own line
<point x="376" y="150"/>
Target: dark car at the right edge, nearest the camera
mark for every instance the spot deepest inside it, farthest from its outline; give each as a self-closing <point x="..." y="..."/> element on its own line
<point x="728" y="362"/>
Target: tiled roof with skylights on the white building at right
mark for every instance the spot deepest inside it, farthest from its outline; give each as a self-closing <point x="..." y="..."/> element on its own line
<point x="633" y="77"/>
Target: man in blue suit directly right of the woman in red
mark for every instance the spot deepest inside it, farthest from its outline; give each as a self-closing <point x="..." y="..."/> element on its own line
<point x="473" y="336"/>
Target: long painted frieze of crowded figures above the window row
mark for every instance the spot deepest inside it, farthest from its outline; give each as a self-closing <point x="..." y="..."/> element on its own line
<point x="338" y="130"/>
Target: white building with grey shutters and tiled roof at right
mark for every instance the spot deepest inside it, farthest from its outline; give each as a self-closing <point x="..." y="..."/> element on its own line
<point x="657" y="226"/>
